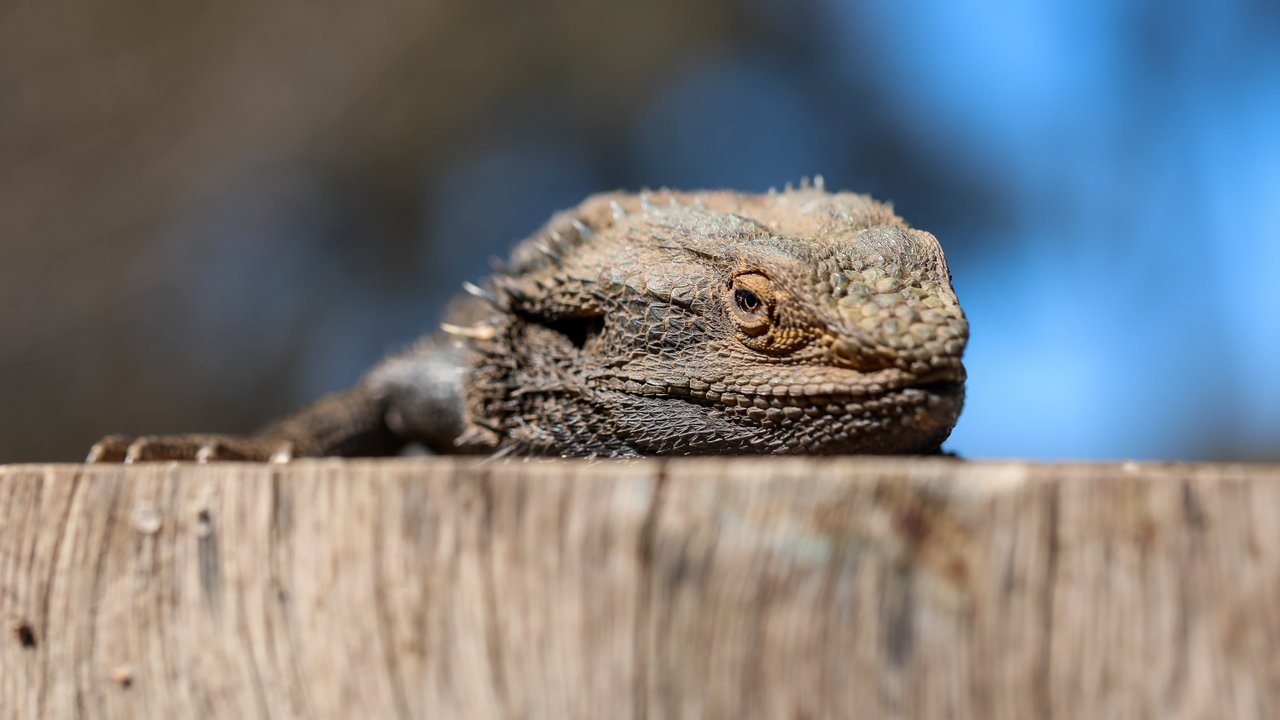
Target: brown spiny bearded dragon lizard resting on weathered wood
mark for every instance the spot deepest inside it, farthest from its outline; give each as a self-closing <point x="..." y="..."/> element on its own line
<point x="668" y="323"/>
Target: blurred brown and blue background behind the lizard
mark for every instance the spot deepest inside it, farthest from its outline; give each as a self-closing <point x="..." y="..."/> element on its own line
<point x="212" y="215"/>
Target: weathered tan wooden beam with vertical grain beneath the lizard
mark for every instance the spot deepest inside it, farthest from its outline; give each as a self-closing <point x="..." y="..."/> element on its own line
<point x="700" y="589"/>
